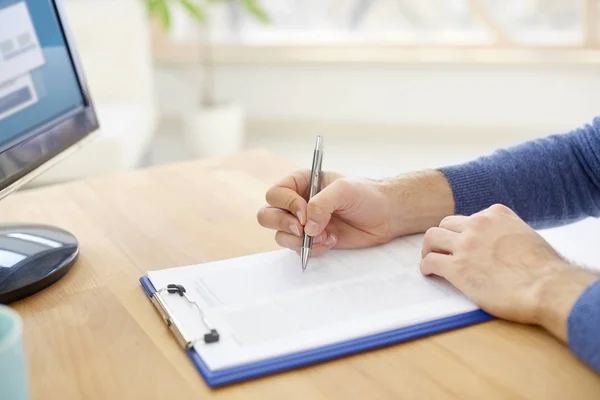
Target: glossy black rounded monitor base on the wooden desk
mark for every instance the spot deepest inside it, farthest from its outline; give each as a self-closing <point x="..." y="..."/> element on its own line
<point x="33" y="257"/>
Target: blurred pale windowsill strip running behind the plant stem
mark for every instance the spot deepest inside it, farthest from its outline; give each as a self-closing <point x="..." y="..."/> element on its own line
<point x="169" y="53"/>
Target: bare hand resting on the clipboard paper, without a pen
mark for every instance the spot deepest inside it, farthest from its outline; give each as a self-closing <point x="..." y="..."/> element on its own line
<point x="505" y="267"/>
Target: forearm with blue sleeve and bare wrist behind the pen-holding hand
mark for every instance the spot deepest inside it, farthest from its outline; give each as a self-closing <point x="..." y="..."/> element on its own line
<point x="547" y="182"/>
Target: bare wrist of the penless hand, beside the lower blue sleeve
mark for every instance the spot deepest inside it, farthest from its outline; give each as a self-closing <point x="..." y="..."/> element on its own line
<point x="556" y="294"/>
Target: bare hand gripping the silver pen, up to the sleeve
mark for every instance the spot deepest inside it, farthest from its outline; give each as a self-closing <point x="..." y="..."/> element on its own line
<point x="350" y="213"/>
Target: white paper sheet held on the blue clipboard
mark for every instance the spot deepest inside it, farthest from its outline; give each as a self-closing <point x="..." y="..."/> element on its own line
<point x="265" y="306"/>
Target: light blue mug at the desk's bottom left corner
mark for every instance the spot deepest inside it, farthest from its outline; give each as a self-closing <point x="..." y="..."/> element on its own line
<point x="13" y="368"/>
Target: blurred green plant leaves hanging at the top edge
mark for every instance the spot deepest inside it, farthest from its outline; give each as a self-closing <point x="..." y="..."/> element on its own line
<point x="162" y="9"/>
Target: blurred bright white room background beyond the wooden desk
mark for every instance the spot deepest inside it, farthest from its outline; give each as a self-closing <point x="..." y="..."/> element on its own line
<point x="393" y="85"/>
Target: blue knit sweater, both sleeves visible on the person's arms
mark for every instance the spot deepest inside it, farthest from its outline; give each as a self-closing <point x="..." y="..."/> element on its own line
<point x="548" y="182"/>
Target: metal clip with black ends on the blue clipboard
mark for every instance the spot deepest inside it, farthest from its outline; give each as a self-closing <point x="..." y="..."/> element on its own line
<point x="211" y="336"/>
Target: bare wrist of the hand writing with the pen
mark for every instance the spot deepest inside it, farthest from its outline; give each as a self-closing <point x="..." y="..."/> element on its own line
<point x="418" y="201"/>
